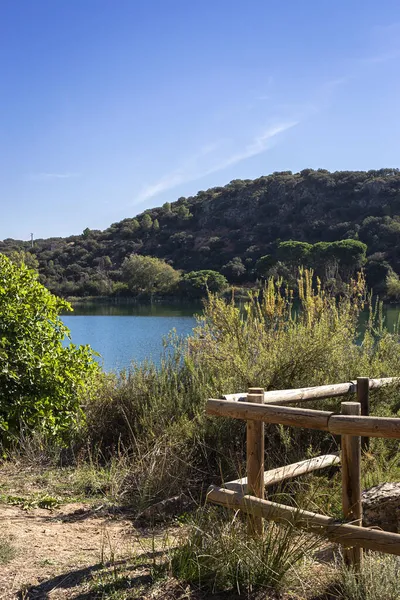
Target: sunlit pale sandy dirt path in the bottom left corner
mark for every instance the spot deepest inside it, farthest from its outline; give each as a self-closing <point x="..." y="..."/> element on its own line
<point x="57" y="551"/>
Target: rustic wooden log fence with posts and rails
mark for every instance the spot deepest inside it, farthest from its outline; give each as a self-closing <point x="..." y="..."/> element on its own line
<point x="247" y="494"/>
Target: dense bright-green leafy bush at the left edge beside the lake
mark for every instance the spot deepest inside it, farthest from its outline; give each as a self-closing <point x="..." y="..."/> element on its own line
<point x="41" y="378"/>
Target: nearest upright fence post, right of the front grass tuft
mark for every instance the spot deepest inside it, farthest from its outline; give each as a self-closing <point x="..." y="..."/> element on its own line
<point x="351" y="483"/>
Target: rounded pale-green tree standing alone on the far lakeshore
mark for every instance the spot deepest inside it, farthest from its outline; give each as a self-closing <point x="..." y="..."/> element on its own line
<point x="148" y="274"/>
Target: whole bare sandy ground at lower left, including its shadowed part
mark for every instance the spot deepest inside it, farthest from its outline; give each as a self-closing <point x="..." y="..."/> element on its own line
<point x="89" y="550"/>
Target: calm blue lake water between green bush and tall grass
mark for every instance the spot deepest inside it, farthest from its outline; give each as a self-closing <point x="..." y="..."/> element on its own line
<point x="124" y="333"/>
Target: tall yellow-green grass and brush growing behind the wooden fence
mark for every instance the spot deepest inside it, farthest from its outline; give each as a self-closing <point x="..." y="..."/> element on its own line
<point x="156" y="416"/>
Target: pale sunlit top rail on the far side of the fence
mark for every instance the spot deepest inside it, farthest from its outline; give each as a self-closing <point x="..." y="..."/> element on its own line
<point x="314" y="393"/>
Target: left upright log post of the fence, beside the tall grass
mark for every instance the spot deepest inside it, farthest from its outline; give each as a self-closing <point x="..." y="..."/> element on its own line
<point x="255" y="459"/>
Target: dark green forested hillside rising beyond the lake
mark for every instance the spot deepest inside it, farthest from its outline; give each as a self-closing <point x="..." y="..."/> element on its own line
<point x="229" y="229"/>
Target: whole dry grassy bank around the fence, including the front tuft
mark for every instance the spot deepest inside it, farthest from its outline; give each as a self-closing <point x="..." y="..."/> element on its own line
<point x="145" y="438"/>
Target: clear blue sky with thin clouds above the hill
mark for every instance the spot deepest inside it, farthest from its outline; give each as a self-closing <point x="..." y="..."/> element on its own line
<point x="108" y="107"/>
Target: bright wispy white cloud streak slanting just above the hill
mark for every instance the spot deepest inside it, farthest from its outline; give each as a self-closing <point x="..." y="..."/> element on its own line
<point x="196" y="167"/>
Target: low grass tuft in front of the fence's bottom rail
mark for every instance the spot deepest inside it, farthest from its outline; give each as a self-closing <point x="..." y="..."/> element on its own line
<point x="217" y="554"/>
